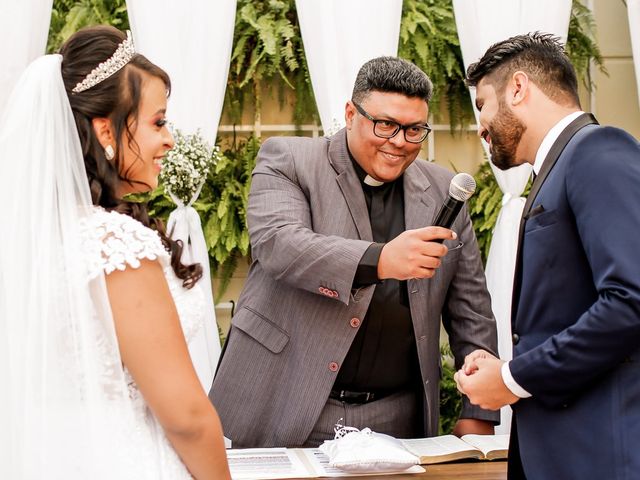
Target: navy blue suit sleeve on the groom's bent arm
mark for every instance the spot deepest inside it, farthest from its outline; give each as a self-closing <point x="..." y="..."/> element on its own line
<point x="603" y="190"/>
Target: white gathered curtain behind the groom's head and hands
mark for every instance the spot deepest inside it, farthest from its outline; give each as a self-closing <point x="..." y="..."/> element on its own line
<point x="480" y="24"/>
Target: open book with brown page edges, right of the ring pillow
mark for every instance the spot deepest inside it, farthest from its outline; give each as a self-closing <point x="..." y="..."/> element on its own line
<point x="447" y="448"/>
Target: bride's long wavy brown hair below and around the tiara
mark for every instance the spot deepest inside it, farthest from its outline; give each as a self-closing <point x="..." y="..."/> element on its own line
<point x="116" y="98"/>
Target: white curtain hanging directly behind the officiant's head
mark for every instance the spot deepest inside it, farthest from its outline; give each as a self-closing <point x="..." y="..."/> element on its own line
<point x="338" y="38"/>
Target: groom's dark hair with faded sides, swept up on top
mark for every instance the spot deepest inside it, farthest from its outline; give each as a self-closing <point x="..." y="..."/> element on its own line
<point x="540" y="55"/>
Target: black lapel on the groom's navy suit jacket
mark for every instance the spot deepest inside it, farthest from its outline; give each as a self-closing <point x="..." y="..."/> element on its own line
<point x="550" y="160"/>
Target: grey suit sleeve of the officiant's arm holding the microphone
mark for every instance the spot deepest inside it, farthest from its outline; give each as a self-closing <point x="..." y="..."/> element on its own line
<point x="281" y="231"/>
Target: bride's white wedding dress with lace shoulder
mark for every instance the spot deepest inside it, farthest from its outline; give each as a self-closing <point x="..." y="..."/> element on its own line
<point x="113" y="241"/>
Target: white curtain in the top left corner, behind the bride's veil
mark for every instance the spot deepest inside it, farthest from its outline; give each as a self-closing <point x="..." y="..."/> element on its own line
<point x="25" y="27"/>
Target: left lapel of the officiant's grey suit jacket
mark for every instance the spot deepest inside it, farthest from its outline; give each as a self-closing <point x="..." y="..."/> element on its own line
<point x="349" y="184"/>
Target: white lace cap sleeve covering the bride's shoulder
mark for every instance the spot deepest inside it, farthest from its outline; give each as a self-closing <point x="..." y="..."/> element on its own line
<point x="114" y="241"/>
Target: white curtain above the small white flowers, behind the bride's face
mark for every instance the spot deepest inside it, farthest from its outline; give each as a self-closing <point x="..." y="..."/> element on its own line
<point x="191" y="40"/>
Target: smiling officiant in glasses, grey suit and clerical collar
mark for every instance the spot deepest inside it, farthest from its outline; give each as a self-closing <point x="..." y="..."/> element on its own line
<point x="340" y="315"/>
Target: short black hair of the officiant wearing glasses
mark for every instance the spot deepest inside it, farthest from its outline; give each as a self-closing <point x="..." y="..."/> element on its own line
<point x="391" y="75"/>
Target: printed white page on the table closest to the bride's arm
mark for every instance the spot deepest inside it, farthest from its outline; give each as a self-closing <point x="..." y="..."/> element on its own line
<point x="266" y="463"/>
